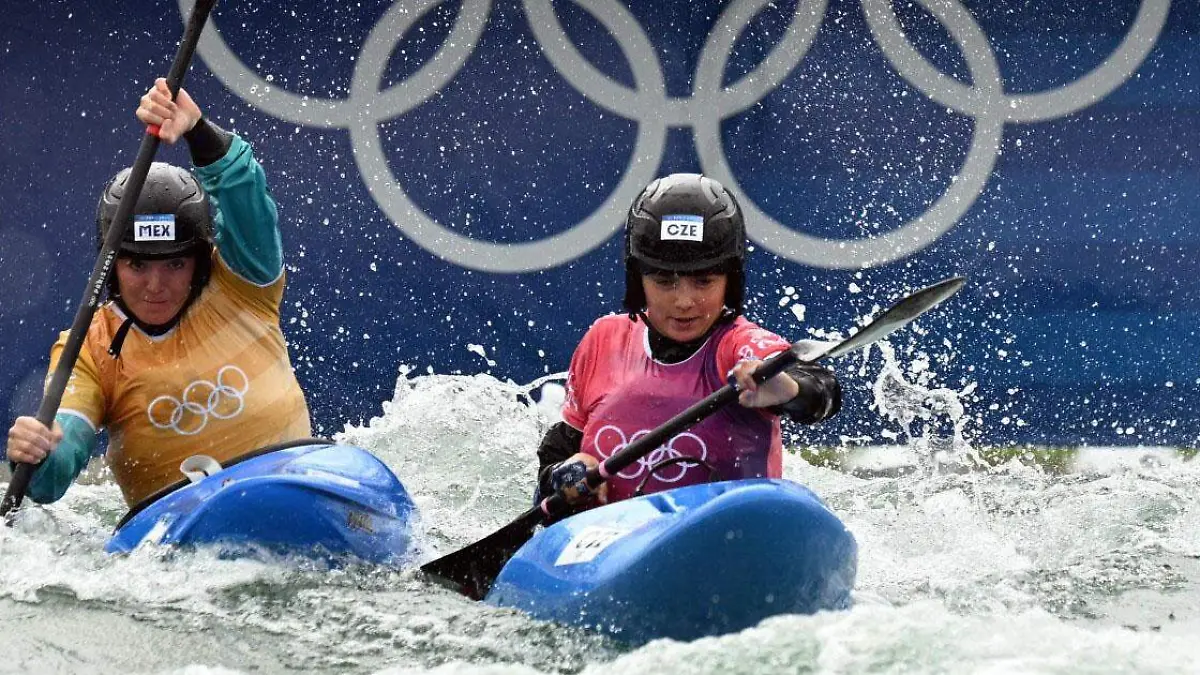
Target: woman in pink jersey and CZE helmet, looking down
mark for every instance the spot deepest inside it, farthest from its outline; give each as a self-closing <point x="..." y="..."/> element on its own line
<point x="682" y="338"/>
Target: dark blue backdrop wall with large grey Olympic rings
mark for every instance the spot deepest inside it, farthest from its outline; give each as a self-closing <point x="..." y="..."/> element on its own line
<point x="453" y="178"/>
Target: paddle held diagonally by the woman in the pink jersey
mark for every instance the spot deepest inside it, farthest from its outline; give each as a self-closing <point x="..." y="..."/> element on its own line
<point x="473" y="570"/>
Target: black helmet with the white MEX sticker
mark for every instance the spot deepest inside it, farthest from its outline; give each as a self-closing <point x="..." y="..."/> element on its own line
<point x="171" y="219"/>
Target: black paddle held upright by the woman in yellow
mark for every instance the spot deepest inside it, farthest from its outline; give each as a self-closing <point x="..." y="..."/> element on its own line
<point x="53" y="396"/>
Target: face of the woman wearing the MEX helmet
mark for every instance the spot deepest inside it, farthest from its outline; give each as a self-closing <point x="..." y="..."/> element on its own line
<point x="155" y="291"/>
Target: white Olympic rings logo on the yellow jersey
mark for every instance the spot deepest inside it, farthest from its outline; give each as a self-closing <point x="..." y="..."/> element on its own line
<point x="189" y="415"/>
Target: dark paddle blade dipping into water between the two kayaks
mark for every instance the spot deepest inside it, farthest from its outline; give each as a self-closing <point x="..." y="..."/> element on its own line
<point x="471" y="571"/>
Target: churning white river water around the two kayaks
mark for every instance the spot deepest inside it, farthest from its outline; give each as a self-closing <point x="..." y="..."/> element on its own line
<point x="1003" y="570"/>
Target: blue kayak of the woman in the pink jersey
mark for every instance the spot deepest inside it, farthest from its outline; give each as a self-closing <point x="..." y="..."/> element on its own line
<point x="685" y="564"/>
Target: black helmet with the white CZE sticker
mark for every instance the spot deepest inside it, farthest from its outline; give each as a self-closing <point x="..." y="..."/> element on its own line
<point x="685" y="223"/>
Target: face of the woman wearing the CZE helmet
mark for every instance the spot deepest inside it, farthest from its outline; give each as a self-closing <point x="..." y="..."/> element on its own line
<point x="683" y="307"/>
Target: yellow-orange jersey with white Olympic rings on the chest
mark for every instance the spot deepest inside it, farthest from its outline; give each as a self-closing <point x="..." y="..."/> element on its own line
<point x="219" y="384"/>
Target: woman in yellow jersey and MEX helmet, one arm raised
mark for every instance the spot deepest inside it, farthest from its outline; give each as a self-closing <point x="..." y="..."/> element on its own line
<point x="187" y="357"/>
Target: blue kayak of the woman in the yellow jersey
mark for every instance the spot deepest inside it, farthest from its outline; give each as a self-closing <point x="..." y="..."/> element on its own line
<point x="311" y="499"/>
